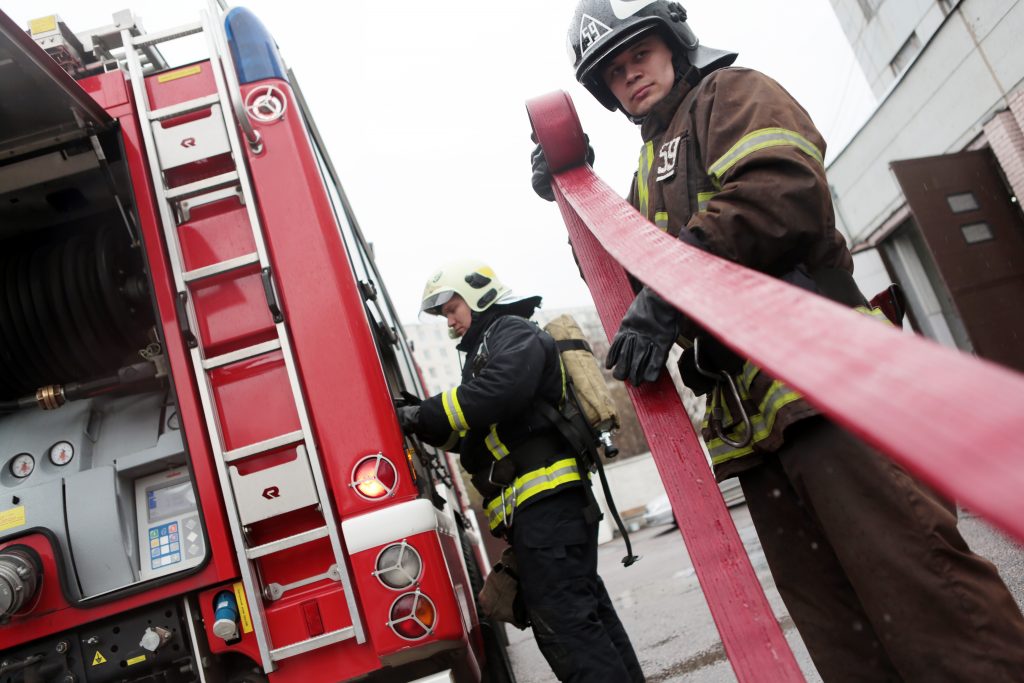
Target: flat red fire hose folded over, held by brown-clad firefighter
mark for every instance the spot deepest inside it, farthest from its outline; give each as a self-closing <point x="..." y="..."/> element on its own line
<point x="951" y="419"/>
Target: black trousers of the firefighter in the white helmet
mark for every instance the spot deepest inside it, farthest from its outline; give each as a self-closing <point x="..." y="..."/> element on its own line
<point x="575" y="624"/>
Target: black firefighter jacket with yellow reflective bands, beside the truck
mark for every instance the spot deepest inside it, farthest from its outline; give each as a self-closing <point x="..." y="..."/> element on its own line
<point x="515" y="455"/>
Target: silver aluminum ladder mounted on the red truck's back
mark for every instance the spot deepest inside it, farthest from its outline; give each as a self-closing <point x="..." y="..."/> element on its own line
<point x="306" y="473"/>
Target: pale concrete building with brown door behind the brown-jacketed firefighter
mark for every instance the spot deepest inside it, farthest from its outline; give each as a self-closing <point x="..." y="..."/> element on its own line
<point x="927" y="192"/>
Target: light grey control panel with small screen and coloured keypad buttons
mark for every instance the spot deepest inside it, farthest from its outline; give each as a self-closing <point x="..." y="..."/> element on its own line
<point x="170" y="537"/>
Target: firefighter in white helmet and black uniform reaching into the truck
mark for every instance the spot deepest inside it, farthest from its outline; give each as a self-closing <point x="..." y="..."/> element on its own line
<point x="533" y="490"/>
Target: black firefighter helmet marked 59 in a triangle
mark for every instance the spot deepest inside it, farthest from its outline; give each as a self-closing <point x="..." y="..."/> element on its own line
<point x="601" y="28"/>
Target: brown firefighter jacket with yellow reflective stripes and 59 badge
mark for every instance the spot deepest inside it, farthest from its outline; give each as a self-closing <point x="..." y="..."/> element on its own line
<point x="738" y="161"/>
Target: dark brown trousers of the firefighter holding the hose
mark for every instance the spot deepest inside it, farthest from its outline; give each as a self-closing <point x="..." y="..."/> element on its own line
<point x="873" y="570"/>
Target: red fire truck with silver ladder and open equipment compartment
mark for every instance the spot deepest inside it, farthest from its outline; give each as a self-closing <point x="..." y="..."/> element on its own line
<point x="202" y="478"/>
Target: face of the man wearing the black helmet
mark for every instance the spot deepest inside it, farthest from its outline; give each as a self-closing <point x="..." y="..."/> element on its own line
<point x="641" y="75"/>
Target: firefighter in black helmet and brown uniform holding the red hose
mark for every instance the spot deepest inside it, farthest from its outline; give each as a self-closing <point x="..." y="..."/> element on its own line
<point x="870" y="563"/>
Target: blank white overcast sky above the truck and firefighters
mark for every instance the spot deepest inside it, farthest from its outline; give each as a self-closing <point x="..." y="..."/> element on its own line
<point x="422" y="108"/>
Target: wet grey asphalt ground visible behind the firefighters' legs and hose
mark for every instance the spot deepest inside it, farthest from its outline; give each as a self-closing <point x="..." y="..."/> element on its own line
<point x="661" y="604"/>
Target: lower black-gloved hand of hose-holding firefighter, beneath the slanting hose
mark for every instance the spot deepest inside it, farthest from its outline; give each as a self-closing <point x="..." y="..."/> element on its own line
<point x="642" y="347"/>
